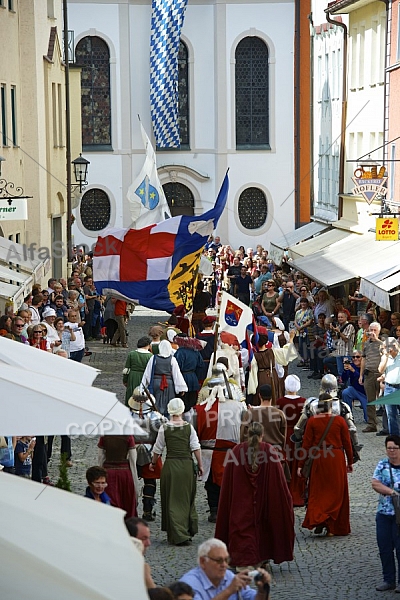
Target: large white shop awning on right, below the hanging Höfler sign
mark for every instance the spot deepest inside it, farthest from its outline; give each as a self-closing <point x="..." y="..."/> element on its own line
<point x="354" y="256"/>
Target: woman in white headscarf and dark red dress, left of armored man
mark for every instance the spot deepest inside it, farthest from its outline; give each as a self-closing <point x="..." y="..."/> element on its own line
<point x="291" y="404"/>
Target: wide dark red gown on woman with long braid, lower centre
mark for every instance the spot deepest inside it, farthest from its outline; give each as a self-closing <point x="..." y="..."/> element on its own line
<point x="257" y="521"/>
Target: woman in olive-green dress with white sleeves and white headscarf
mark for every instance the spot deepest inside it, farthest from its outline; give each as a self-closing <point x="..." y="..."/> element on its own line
<point x="178" y="477"/>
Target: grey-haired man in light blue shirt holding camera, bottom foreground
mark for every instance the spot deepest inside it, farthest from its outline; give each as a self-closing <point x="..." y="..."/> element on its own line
<point x="211" y="579"/>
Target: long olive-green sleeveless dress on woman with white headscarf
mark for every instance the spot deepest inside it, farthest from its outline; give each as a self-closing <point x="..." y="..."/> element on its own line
<point x="178" y="486"/>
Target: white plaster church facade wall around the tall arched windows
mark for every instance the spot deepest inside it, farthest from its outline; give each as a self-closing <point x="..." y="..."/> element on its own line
<point x="127" y="26"/>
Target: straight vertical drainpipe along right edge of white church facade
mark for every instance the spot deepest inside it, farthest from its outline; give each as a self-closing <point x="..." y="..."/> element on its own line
<point x="297" y="144"/>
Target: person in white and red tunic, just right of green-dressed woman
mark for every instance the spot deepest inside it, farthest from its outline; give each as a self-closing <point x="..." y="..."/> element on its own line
<point x="217" y="419"/>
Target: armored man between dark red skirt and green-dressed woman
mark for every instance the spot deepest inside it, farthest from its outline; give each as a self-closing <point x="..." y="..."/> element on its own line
<point x="145" y="413"/>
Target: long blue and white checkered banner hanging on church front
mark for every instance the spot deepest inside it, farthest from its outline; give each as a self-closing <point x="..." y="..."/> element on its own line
<point x="166" y="24"/>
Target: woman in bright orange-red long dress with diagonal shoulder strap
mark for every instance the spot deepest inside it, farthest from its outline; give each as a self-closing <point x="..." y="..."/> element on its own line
<point x="328" y="497"/>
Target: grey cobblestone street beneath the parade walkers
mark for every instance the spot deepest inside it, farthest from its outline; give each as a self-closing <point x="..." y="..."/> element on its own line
<point x="329" y="568"/>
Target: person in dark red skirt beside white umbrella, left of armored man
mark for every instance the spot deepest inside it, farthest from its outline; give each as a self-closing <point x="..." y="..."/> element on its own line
<point x="117" y="454"/>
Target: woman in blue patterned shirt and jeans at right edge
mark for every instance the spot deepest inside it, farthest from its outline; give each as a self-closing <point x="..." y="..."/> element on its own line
<point x="386" y="482"/>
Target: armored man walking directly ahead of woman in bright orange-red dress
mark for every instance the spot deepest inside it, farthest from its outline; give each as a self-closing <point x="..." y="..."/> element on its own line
<point x="328" y="385"/>
